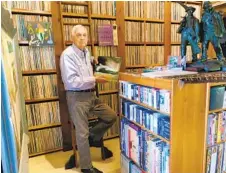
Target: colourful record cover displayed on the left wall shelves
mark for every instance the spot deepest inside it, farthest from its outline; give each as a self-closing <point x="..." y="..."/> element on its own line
<point x="39" y="33"/>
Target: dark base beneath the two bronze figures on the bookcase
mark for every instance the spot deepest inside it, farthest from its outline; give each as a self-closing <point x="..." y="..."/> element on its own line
<point x="207" y="66"/>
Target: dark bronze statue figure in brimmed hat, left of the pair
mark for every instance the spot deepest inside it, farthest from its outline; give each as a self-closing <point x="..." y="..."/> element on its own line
<point x="189" y="30"/>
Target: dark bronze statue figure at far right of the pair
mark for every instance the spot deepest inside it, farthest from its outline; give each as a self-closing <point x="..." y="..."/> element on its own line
<point x="213" y="29"/>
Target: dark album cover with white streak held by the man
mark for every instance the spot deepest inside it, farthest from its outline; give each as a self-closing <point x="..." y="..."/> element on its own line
<point x="108" y="67"/>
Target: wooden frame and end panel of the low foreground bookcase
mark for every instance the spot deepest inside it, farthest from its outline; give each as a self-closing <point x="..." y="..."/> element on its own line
<point x="188" y="129"/>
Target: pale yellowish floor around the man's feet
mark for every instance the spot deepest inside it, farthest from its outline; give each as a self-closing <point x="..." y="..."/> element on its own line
<point x="54" y="162"/>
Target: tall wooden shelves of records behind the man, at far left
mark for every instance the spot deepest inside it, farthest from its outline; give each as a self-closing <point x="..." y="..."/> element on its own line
<point x="39" y="81"/>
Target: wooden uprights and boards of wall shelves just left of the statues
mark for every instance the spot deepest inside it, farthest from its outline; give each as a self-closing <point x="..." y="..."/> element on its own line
<point x="146" y="21"/>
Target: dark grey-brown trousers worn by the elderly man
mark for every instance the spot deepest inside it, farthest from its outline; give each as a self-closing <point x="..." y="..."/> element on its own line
<point x="83" y="105"/>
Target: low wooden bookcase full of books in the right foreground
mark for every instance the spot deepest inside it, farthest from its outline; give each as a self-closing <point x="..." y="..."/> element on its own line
<point x="189" y="124"/>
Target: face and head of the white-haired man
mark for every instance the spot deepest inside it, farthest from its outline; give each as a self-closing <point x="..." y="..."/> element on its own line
<point x="80" y="38"/>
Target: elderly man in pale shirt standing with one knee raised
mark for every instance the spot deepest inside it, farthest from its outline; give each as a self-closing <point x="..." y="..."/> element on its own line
<point x="79" y="83"/>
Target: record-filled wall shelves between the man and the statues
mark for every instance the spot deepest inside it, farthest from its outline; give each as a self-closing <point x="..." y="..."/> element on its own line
<point x="134" y="47"/>
